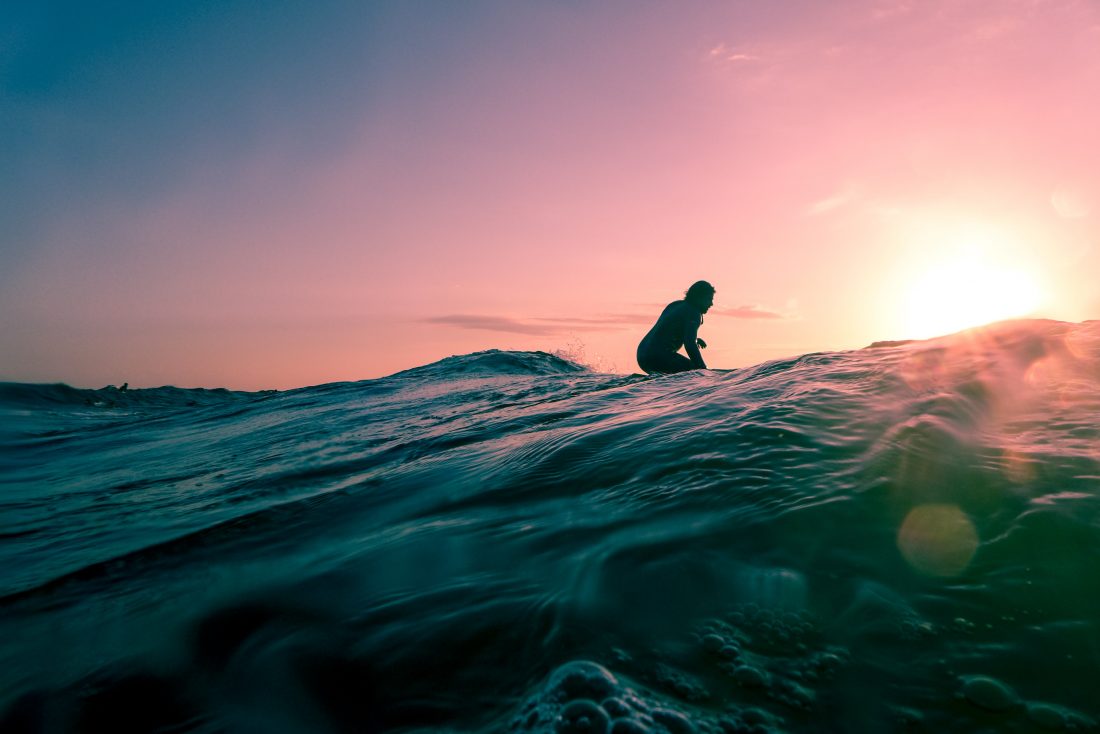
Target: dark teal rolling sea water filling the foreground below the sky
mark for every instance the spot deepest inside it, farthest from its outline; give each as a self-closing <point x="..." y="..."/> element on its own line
<point x="905" y="538"/>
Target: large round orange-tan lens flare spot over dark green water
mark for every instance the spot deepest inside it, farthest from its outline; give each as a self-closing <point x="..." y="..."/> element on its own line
<point x="938" y="540"/>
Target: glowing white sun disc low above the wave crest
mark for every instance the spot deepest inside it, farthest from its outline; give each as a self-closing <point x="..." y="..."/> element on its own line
<point x="966" y="291"/>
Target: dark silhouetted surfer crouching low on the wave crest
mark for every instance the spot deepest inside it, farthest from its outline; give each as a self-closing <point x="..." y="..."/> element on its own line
<point x="659" y="352"/>
